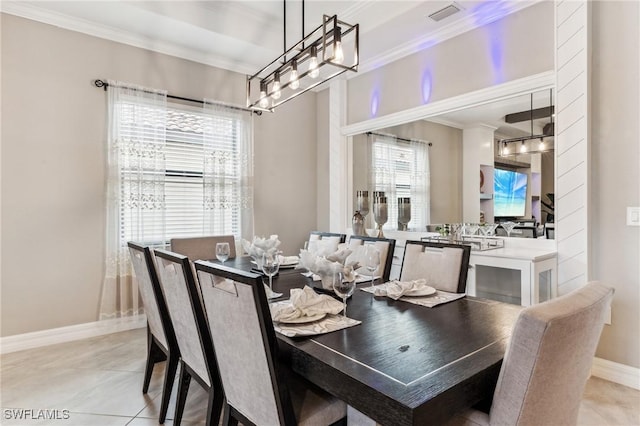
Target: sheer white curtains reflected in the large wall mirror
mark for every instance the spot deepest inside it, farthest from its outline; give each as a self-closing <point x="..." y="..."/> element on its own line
<point x="401" y="169"/>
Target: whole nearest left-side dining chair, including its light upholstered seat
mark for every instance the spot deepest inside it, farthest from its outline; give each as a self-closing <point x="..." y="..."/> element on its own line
<point x="259" y="389"/>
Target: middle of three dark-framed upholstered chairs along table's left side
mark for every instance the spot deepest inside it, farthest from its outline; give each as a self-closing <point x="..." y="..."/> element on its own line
<point x="185" y="307"/>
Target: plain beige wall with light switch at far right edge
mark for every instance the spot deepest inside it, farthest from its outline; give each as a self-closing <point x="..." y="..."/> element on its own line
<point x="615" y="165"/>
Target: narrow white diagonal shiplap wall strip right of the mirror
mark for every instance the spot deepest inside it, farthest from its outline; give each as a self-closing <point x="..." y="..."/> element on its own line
<point x="572" y="142"/>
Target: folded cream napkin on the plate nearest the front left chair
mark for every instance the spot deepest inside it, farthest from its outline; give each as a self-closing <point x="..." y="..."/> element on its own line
<point x="305" y="302"/>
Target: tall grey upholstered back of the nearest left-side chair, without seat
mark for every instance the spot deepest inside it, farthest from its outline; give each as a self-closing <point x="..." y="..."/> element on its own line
<point x="245" y="343"/>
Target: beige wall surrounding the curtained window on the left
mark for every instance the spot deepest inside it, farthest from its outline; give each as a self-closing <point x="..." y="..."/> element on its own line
<point x="53" y="164"/>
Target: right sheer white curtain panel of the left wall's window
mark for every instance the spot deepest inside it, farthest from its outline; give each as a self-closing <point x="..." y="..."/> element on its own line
<point x="228" y="169"/>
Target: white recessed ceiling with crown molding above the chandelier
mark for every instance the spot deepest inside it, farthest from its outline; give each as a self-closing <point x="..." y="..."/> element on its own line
<point x="244" y="36"/>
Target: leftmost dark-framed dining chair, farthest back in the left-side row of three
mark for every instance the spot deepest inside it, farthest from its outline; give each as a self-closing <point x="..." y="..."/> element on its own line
<point x="161" y="338"/>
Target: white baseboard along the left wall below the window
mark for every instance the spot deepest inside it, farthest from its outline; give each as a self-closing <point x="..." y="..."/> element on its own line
<point x="70" y="333"/>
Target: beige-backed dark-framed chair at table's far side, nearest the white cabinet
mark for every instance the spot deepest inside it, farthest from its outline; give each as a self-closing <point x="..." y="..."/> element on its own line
<point x="443" y="265"/>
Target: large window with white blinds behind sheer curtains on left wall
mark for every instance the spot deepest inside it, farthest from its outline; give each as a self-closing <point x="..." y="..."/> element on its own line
<point x="189" y="182"/>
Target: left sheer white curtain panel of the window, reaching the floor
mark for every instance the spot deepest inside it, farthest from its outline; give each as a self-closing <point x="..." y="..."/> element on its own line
<point x="135" y="188"/>
